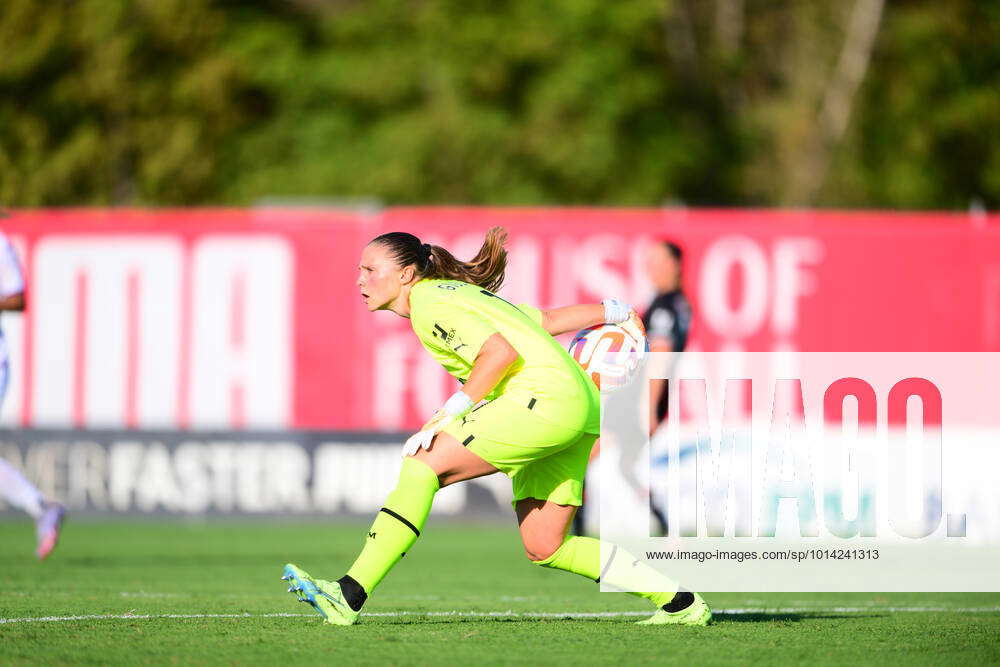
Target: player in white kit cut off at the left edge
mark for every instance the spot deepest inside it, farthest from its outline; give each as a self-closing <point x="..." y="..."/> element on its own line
<point x="14" y="488"/>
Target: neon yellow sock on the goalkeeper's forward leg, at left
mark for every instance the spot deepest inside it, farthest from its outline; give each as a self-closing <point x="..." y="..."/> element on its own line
<point x="397" y="525"/>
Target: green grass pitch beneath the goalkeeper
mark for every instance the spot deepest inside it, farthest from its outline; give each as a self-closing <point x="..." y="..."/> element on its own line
<point x="209" y="593"/>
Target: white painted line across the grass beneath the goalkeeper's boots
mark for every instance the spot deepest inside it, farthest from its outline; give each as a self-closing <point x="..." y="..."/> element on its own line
<point x="512" y="614"/>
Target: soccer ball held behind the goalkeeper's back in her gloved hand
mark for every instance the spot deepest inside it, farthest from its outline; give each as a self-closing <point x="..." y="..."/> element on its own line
<point x="610" y="351"/>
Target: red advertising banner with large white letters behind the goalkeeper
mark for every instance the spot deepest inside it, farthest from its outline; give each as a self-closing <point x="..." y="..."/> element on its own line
<point x="230" y="319"/>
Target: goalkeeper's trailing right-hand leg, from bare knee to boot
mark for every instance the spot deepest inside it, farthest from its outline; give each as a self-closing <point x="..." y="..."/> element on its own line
<point x="544" y="526"/>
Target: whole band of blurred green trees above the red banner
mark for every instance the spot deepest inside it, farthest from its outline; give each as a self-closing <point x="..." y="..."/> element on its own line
<point x="635" y="102"/>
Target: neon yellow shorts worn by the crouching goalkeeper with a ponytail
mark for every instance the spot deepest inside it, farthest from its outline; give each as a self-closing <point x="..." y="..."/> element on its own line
<point x="543" y="459"/>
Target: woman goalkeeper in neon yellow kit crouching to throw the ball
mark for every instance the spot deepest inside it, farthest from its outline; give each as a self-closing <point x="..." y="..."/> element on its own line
<point x="537" y="425"/>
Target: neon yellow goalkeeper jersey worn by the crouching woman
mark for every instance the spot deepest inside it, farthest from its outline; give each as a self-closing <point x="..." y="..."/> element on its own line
<point x="453" y="319"/>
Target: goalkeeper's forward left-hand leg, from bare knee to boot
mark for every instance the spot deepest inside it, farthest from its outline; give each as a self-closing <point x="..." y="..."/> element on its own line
<point x="395" y="529"/>
